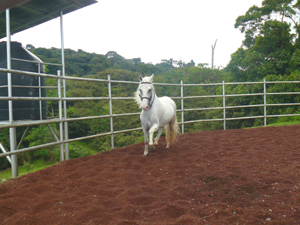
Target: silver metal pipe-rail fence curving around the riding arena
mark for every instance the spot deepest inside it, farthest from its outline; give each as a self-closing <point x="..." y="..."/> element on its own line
<point x="62" y="119"/>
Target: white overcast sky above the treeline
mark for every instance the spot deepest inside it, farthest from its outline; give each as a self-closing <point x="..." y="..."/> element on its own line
<point x="152" y="30"/>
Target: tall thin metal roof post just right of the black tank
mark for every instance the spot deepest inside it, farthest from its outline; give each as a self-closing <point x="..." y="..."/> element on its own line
<point x="66" y="130"/>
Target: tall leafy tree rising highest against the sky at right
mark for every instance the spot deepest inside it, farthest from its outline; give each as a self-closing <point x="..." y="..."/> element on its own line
<point x="269" y="43"/>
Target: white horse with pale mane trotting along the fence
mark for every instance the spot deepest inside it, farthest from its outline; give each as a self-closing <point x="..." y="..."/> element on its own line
<point x="156" y="114"/>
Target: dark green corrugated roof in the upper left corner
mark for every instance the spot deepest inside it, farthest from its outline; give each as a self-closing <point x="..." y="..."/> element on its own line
<point x="25" y="14"/>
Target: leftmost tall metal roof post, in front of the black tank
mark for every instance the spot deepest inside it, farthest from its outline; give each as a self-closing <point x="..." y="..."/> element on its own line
<point x="12" y="130"/>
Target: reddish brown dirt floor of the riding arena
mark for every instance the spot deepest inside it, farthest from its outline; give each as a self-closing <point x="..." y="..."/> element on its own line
<point x="211" y="177"/>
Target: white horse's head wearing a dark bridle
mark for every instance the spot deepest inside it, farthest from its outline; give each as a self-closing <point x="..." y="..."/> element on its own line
<point x="145" y="93"/>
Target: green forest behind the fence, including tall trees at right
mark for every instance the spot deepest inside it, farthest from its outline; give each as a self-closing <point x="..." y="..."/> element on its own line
<point x="269" y="51"/>
